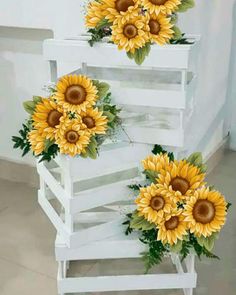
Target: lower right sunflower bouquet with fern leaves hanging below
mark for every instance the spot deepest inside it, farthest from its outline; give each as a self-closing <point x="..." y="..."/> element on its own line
<point x="176" y="210"/>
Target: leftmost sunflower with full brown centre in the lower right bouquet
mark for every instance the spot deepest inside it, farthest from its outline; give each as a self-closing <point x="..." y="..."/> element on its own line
<point x="153" y="204"/>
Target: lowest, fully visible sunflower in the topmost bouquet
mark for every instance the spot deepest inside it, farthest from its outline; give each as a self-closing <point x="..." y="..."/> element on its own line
<point x="130" y="32"/>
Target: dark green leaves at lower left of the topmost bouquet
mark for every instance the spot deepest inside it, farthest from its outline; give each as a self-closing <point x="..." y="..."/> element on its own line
<point x="102" y="30"/>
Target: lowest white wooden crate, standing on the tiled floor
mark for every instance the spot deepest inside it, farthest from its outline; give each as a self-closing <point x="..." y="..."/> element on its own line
<point x="119" y="248"/>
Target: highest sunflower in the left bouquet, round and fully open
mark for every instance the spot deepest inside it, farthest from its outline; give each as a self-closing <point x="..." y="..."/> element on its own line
<point x="75" y="93"/>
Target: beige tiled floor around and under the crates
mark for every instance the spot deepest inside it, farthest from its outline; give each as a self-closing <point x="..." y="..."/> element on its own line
<point x="27" y="265"/>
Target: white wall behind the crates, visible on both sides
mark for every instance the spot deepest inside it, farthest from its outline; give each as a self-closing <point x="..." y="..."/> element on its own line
<point x="23" y="71"/>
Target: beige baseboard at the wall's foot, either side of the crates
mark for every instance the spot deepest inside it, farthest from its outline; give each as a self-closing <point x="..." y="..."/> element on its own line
<point x="23" y="173"/>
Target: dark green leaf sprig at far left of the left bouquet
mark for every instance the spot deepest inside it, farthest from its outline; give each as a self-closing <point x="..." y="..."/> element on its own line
<point x="21" y="141"/>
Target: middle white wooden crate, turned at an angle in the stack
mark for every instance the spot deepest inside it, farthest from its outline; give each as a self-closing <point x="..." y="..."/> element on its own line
<point x="81" y="185"/>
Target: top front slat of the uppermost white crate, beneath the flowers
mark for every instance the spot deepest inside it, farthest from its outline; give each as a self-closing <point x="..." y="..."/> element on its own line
<point x="77" y="50"/>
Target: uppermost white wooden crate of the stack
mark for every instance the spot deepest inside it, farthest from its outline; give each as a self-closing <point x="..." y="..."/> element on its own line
<point x="166" y="80"/>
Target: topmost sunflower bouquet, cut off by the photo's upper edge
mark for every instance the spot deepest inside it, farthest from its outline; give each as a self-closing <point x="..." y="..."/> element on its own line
<point x="133" y="25"/>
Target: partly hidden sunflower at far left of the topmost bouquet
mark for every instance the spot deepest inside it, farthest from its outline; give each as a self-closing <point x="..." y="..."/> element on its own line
<point x="95" y="13"/>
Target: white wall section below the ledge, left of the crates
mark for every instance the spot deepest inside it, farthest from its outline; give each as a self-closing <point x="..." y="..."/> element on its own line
<point x="23" y="72"/>
